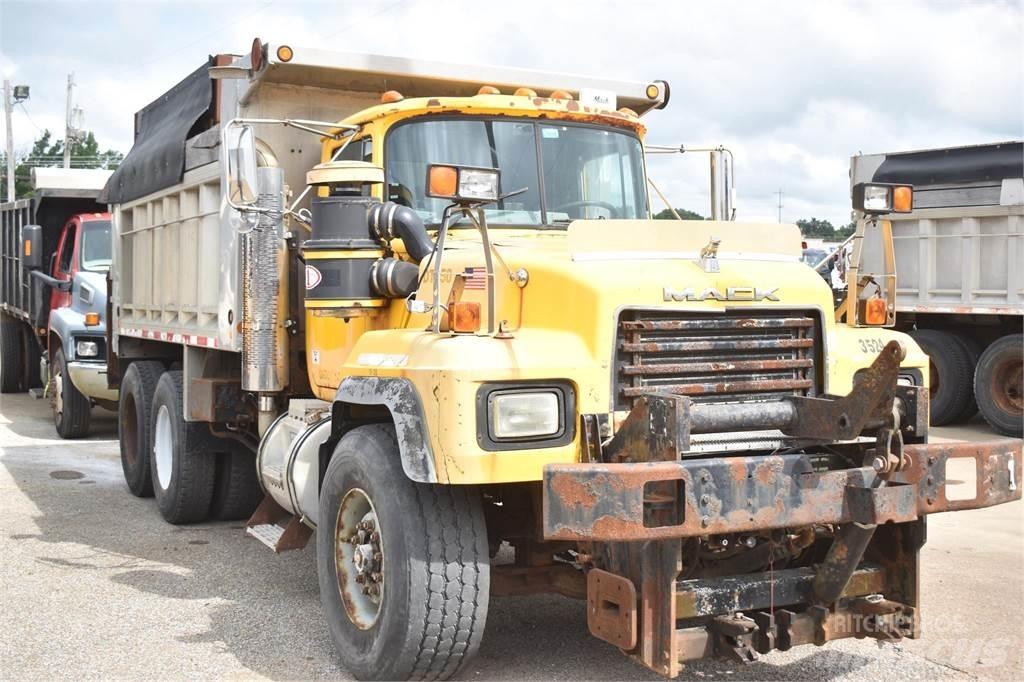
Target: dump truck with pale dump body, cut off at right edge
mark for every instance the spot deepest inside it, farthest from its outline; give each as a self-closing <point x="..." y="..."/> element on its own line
<point x="961" y="289"/>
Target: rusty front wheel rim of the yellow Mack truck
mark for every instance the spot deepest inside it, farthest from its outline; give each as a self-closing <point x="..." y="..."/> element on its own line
<point x="360" y="559"/>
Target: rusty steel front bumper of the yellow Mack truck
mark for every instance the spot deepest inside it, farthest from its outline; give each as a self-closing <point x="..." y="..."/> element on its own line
<point x="619" y="502"/>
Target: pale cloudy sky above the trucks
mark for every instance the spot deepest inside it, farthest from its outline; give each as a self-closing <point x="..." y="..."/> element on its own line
<point x="794" y="89"/>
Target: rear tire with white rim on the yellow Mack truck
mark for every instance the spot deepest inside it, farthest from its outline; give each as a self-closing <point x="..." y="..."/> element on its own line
<point x="183" y="480"/>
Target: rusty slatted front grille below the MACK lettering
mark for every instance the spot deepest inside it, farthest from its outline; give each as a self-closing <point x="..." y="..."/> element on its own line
<point x="740" y="357"/>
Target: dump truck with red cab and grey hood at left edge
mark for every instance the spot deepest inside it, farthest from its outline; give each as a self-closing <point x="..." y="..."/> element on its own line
<point x="57" y="251"/>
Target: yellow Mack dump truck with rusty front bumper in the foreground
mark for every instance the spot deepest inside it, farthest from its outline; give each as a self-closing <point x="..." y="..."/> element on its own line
<point x="422" y="310"/>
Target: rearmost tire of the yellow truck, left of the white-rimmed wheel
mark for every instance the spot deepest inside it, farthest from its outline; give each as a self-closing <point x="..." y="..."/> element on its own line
<point x="136" y="422"/>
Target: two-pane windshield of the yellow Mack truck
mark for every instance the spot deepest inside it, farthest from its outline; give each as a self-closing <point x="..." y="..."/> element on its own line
<point x="588" y="173"/>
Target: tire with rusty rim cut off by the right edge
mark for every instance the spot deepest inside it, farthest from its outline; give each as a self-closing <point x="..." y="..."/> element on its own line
<point x="999" y="386"/>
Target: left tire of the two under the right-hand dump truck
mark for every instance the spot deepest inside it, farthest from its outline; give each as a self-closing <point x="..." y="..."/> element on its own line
<point x="952" y="374"/>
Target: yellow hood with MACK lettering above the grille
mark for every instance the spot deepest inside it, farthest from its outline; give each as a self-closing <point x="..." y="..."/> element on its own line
<point x="581" y="279"/>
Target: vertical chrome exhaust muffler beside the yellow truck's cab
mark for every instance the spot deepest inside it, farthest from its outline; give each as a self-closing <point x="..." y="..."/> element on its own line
<point x="265" y="296"/>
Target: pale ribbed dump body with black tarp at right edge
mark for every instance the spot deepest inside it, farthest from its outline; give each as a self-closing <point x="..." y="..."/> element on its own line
<point x="961" y="250"/>
